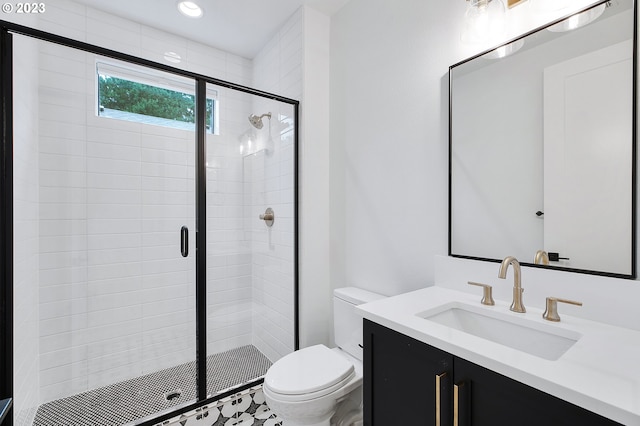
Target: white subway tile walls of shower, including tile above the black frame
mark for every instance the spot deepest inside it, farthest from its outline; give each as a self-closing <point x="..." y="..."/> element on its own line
<point x="106" y="295"/>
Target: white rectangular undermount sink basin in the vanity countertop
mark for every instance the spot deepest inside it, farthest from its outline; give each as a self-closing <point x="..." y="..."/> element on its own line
<point x="521" y="334"/>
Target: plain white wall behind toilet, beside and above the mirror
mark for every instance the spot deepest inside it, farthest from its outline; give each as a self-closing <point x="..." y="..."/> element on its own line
<point x="389" y="135"/>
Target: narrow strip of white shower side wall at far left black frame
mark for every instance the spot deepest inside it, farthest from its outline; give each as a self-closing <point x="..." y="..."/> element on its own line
<point x="26" y="241"/>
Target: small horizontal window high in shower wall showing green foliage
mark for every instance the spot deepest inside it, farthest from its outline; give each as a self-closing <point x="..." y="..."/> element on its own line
<point x="144" y="96"/>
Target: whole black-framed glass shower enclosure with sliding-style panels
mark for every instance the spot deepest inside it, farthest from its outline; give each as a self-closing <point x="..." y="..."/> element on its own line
<point x="149" y="234"/>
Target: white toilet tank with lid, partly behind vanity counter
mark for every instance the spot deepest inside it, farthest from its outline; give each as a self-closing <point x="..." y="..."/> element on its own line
<point x="347" y="323"/>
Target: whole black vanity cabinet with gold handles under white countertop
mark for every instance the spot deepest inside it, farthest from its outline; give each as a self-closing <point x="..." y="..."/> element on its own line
<point x="409" y="382"/>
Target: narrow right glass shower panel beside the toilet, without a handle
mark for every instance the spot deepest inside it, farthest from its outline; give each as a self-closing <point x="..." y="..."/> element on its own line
<point x="250" y="238"/>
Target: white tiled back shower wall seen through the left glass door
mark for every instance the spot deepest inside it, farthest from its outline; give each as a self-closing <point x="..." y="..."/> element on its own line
<point x="116" y="299"/>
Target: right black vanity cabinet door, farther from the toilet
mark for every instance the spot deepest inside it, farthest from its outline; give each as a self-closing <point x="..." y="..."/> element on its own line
<point x="487" y="398"/>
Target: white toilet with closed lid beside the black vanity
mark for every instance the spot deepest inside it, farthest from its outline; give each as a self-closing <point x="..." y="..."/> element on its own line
<point x="319" y="386"/>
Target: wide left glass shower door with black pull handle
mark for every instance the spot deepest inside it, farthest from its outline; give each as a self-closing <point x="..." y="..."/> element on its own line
<point x="104" y="220"/>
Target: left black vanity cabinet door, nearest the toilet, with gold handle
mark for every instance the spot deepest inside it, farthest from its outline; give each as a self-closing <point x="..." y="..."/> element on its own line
<point x="406" y="382"/>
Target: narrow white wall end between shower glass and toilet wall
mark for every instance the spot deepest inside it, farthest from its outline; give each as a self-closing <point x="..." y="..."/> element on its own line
<point x="316" y="314"/>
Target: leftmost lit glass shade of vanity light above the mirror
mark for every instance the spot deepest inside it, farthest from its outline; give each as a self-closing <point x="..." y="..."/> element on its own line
<point x="483" y="19"/>
